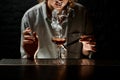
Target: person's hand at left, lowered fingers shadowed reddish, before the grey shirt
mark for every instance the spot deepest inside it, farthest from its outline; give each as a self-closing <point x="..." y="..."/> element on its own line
<point x="30" y="42"/>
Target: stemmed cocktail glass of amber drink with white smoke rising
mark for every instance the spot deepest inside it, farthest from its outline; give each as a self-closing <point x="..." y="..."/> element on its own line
<point x="59" y="34"/>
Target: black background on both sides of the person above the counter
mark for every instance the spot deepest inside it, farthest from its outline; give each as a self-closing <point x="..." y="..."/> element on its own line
<point x="104" y="12"/>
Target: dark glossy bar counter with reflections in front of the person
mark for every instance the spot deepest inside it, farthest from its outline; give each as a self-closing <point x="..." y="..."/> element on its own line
<point x="51" y="69"/>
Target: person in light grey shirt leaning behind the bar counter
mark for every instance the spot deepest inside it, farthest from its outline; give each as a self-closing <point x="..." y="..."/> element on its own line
<point x="36" y="30"/>
